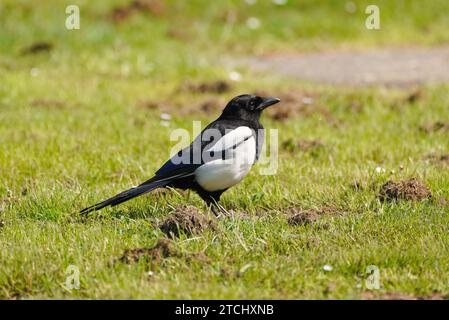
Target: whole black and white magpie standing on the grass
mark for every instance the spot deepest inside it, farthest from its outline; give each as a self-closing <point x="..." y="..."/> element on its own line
<point x="219" y="158"/>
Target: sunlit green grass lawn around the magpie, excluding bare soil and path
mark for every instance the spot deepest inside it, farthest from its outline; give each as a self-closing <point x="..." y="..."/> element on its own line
<point x="77" y="133"/>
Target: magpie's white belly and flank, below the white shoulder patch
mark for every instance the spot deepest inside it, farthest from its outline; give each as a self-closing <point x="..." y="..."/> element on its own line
<point x="222" y="174"/>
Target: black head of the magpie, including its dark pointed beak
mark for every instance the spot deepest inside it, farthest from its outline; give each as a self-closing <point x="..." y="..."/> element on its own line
<point x="247" y="107"/>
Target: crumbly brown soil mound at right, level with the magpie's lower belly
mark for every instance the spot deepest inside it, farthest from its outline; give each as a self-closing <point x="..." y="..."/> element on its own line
<point x="411" y="189"/>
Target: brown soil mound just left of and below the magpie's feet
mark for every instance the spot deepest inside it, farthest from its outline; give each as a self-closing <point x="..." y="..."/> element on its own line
<point x="187" y="220"/>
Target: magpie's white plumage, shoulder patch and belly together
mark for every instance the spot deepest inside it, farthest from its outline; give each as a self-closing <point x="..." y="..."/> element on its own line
<point x="222" y="174"/>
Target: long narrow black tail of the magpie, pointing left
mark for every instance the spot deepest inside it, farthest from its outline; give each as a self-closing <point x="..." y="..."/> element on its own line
<point x="127" y="195"/>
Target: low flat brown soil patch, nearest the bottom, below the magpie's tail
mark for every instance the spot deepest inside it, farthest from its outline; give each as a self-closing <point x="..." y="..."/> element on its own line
<point x="162" y="250"/>
